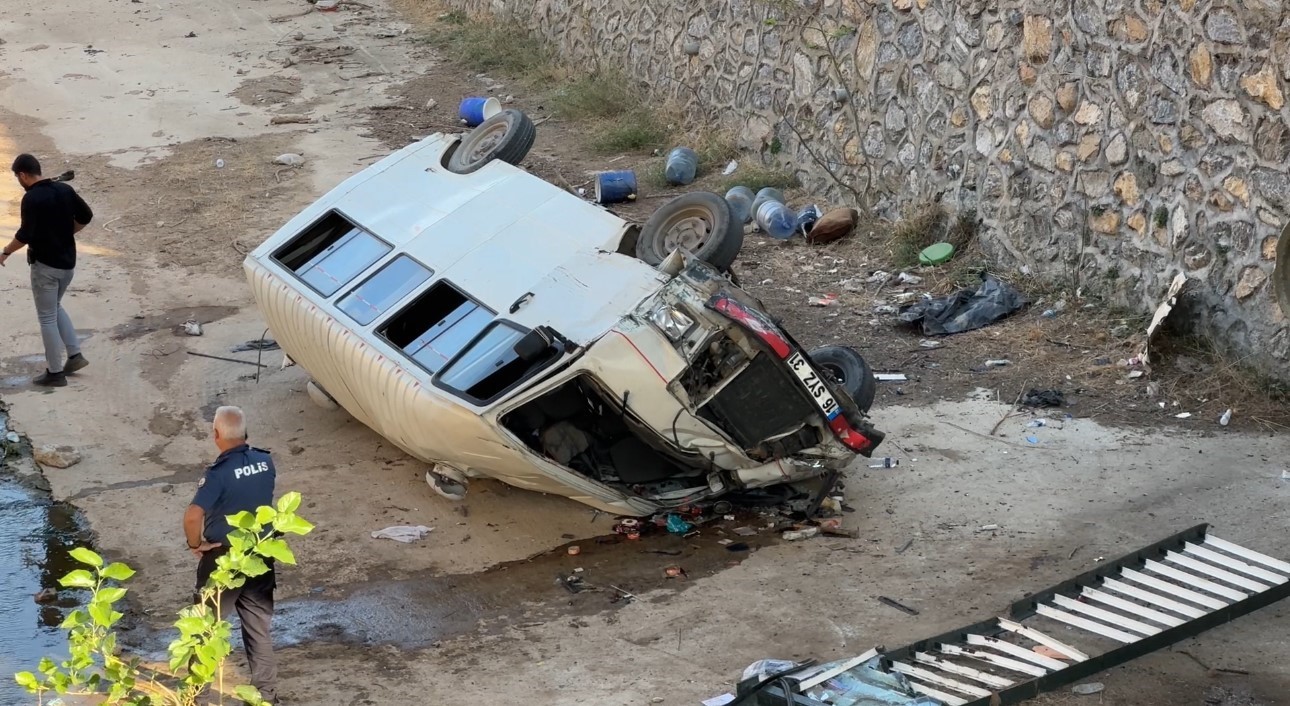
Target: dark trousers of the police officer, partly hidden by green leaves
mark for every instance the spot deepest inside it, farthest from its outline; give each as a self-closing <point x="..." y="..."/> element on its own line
<point x="255" y="607"/>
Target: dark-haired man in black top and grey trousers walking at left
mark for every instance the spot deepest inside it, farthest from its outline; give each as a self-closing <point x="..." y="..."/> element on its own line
<point x="52" y="216"/>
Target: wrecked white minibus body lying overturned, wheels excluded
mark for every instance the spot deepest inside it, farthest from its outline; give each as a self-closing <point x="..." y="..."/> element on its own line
<point x="407" y="290"/>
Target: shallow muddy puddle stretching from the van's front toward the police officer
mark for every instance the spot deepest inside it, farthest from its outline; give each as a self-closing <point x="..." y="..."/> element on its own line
<point x="426" y="609"/>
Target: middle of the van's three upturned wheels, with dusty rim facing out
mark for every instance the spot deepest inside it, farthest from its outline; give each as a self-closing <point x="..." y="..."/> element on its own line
<point x="700" y="223"/>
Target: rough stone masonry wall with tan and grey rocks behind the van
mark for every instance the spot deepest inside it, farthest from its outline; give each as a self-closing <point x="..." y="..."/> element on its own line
<point x="1106" y="143"/>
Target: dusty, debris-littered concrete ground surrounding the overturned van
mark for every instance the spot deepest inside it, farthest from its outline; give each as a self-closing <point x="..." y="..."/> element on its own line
<point x="174" y="141"/>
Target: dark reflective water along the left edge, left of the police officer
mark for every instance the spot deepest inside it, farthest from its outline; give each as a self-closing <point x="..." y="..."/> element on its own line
<point x="35" y="536"/>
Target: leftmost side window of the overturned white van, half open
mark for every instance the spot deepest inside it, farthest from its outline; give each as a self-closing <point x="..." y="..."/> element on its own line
<point x="331" y="254"/>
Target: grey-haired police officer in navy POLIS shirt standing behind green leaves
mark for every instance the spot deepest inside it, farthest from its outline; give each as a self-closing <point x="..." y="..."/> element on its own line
<point x="241" y="479"/>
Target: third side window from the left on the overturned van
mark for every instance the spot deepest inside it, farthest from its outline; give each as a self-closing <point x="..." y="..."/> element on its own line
<point x="437" y="326"/>
